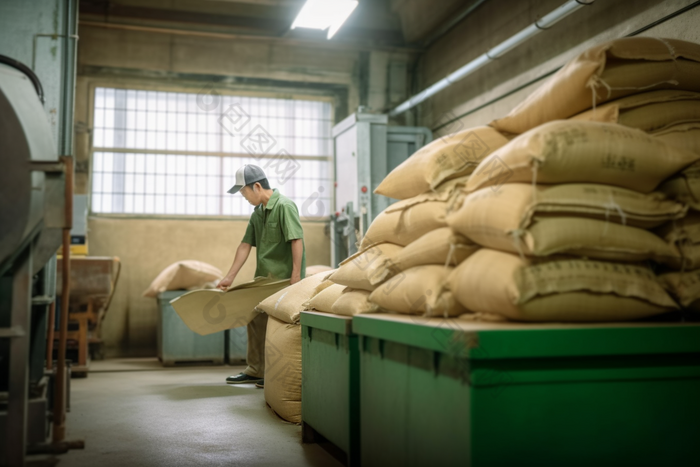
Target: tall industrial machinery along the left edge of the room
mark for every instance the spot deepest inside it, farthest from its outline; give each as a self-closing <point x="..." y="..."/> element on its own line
<point x="36" y="183"/>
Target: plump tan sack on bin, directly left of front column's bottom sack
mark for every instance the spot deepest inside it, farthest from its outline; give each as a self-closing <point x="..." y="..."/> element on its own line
<point x="418" y="291"/>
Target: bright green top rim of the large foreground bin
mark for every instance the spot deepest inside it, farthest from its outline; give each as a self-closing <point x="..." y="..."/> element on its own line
<point x="581" y="340"/>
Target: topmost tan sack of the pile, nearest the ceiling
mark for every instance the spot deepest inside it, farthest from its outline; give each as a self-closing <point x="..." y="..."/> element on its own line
<point x="606" y="72"/>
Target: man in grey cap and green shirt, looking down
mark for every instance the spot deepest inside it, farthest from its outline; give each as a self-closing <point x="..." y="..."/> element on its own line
<point x="275" y="231"/>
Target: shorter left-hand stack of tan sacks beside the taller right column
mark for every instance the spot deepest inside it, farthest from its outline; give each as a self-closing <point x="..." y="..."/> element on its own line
<point x="408" y="251"/>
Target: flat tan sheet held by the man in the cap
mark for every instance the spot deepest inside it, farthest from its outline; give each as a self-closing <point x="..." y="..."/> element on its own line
<point x="212" y="310"/>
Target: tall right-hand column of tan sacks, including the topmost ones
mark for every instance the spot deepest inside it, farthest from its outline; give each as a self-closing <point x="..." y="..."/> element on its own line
<point x="570" y="213"/>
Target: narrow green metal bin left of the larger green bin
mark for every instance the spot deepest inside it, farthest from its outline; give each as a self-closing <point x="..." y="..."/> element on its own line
<point x="330" y="382"/>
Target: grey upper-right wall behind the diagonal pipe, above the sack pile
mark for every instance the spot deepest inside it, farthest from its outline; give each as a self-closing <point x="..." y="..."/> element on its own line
<point x="506" y="81"/>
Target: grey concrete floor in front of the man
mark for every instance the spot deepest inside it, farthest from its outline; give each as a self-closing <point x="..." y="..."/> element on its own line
<point x="136" y="413"/>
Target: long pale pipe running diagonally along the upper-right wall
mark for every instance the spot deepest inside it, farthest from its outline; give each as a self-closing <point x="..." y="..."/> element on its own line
<point x="498" y="51"/>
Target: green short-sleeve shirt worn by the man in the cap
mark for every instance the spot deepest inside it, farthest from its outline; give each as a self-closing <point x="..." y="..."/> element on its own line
<point x="270" y="230"/>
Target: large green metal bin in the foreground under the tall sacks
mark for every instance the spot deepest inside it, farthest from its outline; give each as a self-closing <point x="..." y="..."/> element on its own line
<point x="453" y="392"/>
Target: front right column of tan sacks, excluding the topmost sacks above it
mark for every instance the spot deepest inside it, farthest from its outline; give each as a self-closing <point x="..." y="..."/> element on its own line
<point x="566" y="236"/>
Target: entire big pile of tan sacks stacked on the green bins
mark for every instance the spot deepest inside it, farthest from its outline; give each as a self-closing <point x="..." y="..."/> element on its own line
<point x="548" y="213"/>
